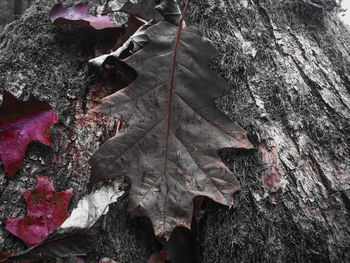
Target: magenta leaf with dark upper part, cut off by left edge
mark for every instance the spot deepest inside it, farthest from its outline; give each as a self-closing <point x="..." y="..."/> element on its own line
<point x="22" y="122"/>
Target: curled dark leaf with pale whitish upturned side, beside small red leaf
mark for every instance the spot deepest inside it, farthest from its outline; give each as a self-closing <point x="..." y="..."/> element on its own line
<point x="78" y="234"/>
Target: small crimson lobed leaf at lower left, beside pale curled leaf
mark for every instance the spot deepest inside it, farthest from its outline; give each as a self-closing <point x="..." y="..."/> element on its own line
<point x="47" y="209"/>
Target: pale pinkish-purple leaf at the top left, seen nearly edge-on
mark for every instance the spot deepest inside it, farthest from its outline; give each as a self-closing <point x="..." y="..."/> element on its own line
<point x="79" y="15"/>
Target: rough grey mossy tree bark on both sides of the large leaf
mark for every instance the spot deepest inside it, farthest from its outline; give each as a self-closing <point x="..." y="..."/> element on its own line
<point x="288" y="63"/>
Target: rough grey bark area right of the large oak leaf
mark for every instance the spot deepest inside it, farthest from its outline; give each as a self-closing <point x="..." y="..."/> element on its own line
<point x="288" y="63"/>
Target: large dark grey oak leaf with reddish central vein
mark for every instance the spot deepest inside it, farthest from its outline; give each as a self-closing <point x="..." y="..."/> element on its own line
<point x="172" y="130"/>
